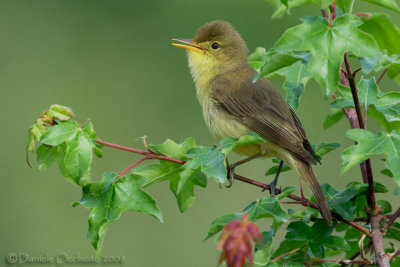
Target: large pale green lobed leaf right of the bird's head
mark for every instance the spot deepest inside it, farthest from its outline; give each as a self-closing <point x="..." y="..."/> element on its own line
<point x="328" y="45"/>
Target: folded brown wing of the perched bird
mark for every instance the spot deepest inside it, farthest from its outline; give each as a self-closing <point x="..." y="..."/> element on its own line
<point x="262" y="109"/>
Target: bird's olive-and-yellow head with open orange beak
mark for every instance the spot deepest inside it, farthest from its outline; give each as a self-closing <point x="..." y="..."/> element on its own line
<point x="216" y="48"/>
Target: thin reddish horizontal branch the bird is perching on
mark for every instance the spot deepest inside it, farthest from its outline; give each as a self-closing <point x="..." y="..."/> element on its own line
<point x="300" y="200"/>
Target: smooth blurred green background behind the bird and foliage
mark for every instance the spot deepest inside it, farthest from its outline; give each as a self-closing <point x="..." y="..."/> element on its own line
<point x="112" y="61"/>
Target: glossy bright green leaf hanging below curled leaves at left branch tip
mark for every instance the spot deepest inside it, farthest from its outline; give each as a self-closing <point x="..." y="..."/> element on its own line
<point x="78" y="156"/>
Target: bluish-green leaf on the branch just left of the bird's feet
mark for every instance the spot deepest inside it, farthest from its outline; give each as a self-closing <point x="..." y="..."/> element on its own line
<point x="211" y="160"/>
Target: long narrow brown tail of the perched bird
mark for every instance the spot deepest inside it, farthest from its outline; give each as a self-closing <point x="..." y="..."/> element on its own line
<point x="306" y="172"/>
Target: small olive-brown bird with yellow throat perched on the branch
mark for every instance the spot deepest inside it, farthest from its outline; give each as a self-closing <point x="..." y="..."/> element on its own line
<point x="233" y="105"/>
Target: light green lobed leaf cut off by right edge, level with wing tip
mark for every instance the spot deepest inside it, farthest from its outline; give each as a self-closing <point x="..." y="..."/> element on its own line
<point x="370" y="144"/>
